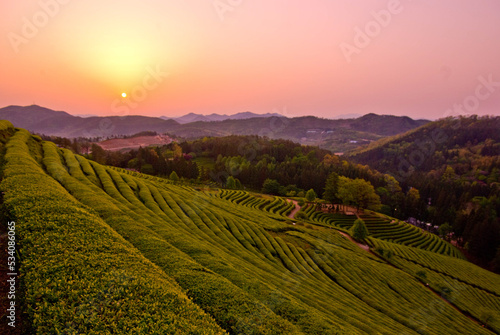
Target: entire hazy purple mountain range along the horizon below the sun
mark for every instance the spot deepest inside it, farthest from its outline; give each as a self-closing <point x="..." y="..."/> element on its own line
<point x="336" y="135"/>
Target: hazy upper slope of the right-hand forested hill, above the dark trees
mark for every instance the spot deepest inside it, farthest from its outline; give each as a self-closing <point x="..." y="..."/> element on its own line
<point x="434" y="146"/>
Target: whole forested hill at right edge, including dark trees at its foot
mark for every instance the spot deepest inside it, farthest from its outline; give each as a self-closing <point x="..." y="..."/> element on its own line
<point x="455" y="165"/>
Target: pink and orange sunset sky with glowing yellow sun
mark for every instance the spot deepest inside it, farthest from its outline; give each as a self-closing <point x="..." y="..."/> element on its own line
<point x="317" y="57"/>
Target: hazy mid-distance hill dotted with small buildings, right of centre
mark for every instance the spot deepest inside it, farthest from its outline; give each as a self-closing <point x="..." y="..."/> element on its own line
<point x="336" y="135"/>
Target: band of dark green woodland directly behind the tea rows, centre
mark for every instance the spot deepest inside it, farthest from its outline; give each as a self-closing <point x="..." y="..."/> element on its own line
<point x="281" y="167"/>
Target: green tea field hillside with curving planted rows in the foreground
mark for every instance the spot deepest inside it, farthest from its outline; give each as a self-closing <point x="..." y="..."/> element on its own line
<point x="108" y="251"/>
